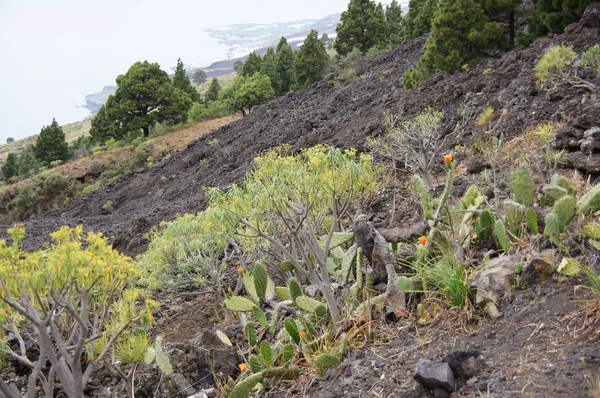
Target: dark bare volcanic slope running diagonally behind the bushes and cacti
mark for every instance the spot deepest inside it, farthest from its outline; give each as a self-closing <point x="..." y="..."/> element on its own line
<point x="335" y="111"/>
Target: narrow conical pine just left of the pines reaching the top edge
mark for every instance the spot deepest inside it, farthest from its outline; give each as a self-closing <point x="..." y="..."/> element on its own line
<point x="310" y="61"/>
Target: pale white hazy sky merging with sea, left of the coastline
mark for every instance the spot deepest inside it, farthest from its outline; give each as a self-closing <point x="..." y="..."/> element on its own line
<point x="54" y="52"/>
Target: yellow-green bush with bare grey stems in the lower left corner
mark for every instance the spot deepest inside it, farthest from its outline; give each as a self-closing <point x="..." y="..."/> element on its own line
<point x="85" y="293"/>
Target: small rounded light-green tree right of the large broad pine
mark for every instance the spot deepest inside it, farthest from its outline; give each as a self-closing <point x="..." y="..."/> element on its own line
<point x="247" y="92"/>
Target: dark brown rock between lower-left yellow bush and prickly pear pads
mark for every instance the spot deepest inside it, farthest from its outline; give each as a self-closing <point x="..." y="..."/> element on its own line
<point x="213" y="355"/>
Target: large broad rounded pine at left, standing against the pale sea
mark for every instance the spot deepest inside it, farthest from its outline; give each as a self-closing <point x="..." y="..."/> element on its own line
<point x="145" y="96"/>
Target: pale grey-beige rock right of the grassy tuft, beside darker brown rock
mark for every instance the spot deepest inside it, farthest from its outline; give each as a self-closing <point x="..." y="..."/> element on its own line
<point x="493" y="282"/>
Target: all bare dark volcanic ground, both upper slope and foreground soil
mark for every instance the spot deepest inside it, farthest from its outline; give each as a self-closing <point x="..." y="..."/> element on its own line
<point x="533" y="350"/>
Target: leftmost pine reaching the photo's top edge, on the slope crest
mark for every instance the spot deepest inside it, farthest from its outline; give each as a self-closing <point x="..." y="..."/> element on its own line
<point x="361" y="26"/>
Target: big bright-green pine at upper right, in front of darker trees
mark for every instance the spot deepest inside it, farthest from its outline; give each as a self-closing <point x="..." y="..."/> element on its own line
<point x="460" y="34"/>
